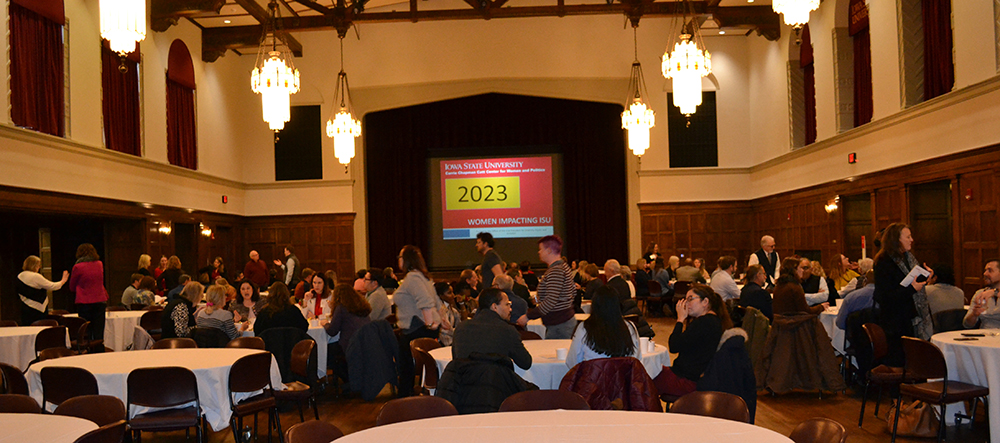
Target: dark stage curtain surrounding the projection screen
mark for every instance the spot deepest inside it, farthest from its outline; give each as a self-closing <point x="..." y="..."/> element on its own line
<point x="589" y="135"/>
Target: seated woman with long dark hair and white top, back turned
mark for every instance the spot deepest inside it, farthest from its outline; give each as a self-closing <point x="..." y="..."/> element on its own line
<point x="605" y="333"/>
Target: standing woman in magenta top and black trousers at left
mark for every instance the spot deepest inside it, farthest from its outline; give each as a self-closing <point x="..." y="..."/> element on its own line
<point x="87" y="281"/>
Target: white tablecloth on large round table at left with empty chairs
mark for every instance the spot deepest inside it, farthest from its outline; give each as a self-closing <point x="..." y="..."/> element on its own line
<point x="210" y="366"/>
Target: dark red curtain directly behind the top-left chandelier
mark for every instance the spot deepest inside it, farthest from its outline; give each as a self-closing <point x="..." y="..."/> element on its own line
<point x="121" y="103"/>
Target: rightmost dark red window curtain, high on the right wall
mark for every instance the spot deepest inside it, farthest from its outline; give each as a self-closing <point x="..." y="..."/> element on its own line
<point x="939" y="70"/>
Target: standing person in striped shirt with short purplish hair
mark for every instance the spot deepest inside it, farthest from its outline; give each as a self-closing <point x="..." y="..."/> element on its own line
<point x="555" y="291"/>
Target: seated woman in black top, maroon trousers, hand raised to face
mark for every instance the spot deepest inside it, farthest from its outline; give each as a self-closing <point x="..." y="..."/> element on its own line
<point x="701" y="318"/>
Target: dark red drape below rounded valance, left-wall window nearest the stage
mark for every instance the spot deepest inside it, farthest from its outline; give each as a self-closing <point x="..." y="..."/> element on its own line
<point x="182" y="149"/>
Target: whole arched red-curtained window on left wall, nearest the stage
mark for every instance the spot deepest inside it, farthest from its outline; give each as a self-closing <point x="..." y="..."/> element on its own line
<point x="182" y="147"/>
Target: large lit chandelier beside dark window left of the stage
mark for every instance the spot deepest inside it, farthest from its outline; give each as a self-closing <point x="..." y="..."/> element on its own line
<point x="274" y="75"/>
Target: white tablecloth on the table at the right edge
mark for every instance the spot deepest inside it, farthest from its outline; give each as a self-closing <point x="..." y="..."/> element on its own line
<point x="976" y="362"/>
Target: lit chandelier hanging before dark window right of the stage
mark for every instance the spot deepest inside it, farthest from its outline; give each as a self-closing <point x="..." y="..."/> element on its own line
<point x="686" y="65"/>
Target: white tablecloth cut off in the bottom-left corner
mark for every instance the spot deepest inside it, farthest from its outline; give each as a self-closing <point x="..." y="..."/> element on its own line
<point x="42" y="428"/>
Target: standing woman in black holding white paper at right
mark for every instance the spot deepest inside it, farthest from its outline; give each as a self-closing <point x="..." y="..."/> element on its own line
<point x="892" y="263"/>
